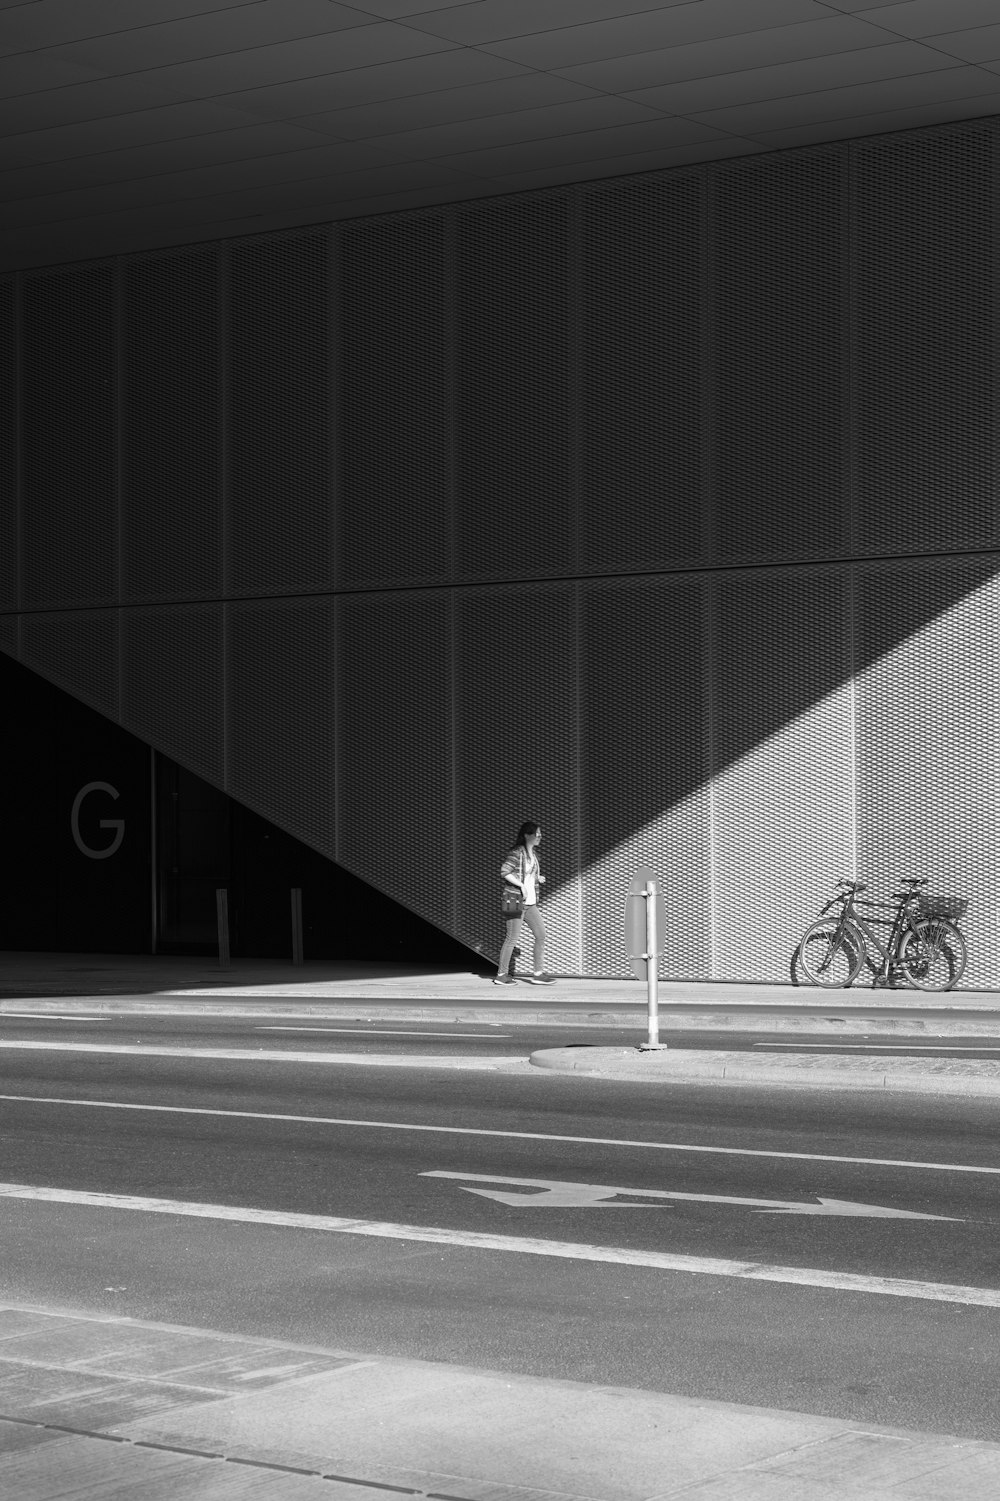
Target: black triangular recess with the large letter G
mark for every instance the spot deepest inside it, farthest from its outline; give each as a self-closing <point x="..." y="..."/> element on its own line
<point x="113" y="849"/>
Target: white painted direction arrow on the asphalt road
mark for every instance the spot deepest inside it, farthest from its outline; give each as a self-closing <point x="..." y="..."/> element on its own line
<point x="595" y="1196"/>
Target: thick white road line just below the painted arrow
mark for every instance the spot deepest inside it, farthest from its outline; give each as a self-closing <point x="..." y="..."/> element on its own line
<point x="616" y="1256"/>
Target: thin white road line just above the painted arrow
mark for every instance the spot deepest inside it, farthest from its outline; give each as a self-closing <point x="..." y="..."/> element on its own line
<point x="502" y="1136"/>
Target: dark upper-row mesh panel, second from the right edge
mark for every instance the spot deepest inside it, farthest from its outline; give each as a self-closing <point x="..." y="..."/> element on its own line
<point x="779" y="262"/>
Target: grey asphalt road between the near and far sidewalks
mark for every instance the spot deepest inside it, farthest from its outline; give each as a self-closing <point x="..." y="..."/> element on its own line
<point x="606" y="1181"/>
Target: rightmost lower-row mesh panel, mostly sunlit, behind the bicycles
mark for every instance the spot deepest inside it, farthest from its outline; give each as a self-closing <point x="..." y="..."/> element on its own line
<point x="929" y="709"/>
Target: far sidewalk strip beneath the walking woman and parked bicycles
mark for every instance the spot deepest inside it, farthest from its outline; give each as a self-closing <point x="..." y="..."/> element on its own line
<point x="46" y="984"/>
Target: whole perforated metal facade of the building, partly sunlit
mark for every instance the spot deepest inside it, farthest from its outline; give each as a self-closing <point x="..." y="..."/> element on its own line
<point x="663" y="511"/>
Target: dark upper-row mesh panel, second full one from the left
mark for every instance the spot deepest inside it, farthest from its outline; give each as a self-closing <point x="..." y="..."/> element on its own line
<point x="170" y="427"/>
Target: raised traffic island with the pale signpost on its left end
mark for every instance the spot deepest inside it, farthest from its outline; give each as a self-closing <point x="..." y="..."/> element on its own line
<point x="797" y="1072"/>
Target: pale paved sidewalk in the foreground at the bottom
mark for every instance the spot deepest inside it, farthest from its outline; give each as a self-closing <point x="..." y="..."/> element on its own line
<point x="107" y="1410"/>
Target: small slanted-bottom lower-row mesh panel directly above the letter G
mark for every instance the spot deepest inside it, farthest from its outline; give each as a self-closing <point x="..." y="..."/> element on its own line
<point x="79" y="651"/>
